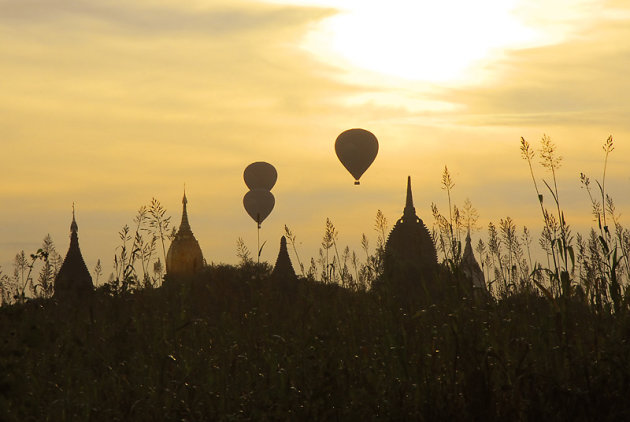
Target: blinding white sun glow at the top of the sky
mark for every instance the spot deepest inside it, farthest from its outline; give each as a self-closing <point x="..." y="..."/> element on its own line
<point x="418" y="40"/>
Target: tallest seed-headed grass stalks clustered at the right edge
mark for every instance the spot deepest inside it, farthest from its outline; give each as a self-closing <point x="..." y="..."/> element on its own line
<point x="595" y="268"/>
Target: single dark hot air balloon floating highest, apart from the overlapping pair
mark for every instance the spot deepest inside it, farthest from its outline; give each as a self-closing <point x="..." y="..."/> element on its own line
<point x="356" y="149"/>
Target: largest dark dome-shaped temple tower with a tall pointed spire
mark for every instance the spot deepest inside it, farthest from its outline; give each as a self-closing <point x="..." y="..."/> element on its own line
<point x="409" y="251"/>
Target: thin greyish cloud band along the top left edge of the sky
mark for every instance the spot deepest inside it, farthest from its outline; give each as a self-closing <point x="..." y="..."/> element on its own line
<point x="152" y="18"/>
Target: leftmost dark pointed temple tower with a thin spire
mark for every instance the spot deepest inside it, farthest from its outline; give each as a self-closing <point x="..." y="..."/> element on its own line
<point x="73" y="277"/>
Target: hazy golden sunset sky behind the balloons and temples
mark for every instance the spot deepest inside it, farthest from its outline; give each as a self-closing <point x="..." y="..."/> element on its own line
<point x="108" y="104"/>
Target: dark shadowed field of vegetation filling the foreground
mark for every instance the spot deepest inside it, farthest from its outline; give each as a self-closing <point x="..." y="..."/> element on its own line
<point x="234" y="344"/>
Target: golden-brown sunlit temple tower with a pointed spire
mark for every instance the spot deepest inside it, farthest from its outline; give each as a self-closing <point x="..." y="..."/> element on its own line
<point x="184" y="257"/>
